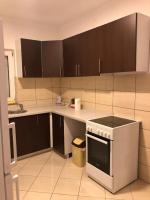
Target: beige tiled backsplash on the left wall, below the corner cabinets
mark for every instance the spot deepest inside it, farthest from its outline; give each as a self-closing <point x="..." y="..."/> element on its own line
<point x="37" y="91"/>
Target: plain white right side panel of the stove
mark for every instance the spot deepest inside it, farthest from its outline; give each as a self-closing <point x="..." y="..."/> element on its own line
<point x="125" y="155"/>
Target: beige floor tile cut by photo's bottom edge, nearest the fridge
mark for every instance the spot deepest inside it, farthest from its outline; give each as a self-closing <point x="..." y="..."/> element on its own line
<point x="37" y="196"/>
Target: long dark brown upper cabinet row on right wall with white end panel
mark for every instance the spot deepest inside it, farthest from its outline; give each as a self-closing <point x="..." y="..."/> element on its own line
<point x="119" y="46"/>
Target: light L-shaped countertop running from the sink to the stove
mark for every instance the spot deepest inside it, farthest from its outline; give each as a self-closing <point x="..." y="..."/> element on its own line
<point x="82" y="115"/>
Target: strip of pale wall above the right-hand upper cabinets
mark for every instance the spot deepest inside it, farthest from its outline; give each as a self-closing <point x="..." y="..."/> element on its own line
<point x="109" y="11"/>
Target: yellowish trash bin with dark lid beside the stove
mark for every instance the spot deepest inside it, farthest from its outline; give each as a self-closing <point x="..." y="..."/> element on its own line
<point x="78" y="151"/>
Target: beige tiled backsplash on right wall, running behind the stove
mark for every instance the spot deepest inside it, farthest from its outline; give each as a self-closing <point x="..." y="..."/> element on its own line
<point x="122" y="95"/>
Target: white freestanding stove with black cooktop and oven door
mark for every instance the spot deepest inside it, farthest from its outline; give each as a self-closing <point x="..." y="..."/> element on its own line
<point x="112" y="151"/>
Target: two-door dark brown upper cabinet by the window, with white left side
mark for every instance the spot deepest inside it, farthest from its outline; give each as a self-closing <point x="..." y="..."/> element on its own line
<point x="39" y="59"/>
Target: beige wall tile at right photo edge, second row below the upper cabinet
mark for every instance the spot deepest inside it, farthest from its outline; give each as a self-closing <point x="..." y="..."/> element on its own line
<point x="142" y="101"/>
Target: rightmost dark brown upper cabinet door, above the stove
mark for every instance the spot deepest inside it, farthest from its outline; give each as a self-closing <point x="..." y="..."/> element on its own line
<point x="118" y="45"/>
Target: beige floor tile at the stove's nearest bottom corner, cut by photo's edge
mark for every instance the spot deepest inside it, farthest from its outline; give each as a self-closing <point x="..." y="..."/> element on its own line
<point x="124" y="194"/>
